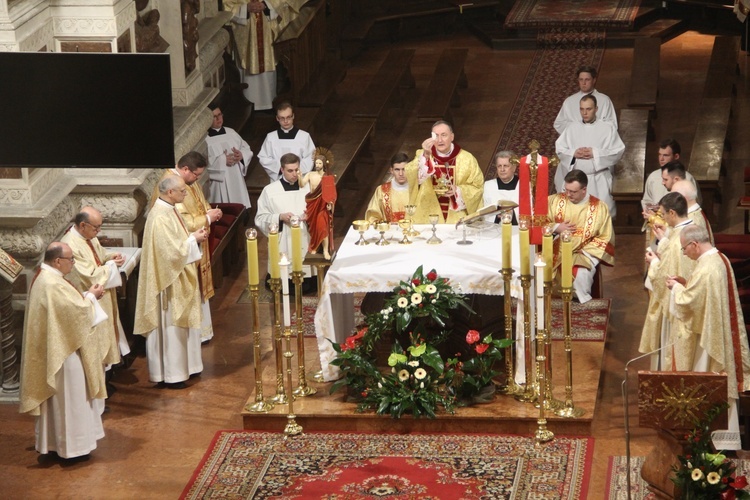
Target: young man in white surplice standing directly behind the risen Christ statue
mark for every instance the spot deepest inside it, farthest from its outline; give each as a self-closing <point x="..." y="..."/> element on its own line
<point x="279" y="202"/>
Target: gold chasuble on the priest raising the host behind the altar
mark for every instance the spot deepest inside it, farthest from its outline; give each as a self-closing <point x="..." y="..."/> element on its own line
<point x="461" y="170"/>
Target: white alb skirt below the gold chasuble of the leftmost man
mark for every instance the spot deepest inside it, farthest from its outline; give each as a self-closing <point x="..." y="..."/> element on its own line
<point x="70" y="424"/>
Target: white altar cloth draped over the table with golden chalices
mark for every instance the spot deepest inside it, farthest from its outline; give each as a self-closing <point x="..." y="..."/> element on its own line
<point x="372" y="268"/>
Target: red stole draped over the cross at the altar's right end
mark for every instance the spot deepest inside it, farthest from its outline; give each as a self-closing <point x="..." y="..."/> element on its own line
<point x="537" y="217"/>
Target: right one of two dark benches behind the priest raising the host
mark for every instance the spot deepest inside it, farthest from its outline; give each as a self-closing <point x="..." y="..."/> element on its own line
<point x="442" y="92"/>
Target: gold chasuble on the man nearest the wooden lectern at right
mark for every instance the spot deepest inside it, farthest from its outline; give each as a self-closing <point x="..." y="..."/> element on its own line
<point x="709" y="306"/>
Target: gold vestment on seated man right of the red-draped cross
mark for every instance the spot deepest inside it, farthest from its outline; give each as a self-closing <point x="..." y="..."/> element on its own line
<point x="593" y="233"/>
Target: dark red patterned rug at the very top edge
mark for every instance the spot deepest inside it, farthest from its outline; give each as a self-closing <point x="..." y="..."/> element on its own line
<point x="603" y="14"/>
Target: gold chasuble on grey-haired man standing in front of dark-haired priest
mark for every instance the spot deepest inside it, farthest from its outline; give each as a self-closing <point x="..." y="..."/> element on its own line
<point x="164" y="269"/>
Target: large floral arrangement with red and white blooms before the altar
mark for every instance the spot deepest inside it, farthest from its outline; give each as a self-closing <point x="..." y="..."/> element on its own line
<point x="420" y="380"/>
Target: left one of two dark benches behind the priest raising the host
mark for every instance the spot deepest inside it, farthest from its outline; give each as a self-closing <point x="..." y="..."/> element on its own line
<point x="384" y="89"/>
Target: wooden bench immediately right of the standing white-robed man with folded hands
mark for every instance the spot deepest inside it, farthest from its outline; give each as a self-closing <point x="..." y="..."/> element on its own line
<point x="627" y="185"/>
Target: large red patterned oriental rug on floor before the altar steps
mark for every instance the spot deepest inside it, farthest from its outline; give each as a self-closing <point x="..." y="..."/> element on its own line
<point x="242" y="464"/>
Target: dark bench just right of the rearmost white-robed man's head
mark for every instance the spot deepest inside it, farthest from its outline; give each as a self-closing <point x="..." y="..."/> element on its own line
<point x="644" y="76"/>
